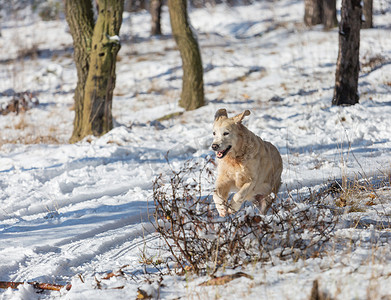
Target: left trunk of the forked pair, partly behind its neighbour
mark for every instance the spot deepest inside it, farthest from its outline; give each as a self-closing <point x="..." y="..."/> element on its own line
<point x="80" y="17"/>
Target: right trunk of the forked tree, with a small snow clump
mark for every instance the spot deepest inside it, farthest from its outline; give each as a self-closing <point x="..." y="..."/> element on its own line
<point x="100" y="82"/>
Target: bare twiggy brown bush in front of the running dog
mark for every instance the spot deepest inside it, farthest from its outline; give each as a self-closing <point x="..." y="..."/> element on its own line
<point x="199" y="240"/>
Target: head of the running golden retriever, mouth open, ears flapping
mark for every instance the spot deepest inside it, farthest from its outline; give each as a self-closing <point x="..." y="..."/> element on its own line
<point x="226" y="132"/>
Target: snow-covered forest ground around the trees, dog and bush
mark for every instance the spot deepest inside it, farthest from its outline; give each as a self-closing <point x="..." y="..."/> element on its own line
<point x="75" y="212"/>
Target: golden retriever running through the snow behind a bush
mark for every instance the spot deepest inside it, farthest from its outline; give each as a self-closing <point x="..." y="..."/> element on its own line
<point x="246" y="164"/>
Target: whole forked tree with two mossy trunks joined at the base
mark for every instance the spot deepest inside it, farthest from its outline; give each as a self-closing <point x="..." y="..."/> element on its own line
<point x="96" y="47"/>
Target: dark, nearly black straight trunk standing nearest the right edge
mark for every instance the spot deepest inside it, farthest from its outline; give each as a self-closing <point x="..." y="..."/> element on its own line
<point x="346" y="77"/>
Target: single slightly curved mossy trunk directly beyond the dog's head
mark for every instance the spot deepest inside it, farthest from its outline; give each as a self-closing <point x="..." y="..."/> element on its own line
<point x="192" y="96"/>
